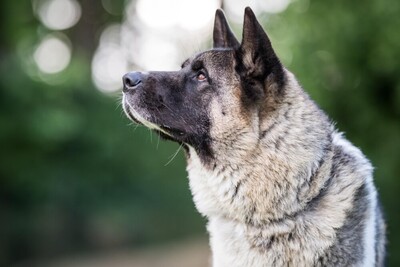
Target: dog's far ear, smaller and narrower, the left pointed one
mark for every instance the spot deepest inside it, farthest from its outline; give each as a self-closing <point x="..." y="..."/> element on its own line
<point x="223" y="36"/>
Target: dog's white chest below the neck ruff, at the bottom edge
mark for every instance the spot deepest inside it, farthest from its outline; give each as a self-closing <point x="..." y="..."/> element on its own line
<point x="234" y="245"/>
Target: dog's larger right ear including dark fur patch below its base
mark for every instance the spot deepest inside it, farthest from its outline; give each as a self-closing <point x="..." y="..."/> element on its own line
<point x="257" y="59"/>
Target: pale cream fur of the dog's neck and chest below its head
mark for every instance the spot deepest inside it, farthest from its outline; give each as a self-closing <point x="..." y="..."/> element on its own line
<point x="269" y="182"/>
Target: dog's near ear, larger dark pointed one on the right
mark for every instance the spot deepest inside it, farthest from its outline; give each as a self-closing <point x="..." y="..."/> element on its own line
<point x="256" y="54"/>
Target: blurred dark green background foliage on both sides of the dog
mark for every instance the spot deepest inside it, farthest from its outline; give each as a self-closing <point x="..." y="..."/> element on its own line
<point x="75" y="175"/>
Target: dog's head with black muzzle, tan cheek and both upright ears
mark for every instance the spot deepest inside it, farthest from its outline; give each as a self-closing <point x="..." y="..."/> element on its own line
<point x="217" y="97"/>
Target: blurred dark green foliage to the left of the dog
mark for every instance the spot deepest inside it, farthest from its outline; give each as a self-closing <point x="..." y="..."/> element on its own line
<point x="74" y="176"/>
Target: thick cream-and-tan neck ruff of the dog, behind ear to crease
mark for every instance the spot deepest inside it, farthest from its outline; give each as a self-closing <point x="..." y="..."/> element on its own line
<point x="256" y="175"/>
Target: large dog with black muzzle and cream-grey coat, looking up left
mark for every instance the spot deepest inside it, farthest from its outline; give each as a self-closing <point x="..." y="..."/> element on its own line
<point x="279" y="185"/>
